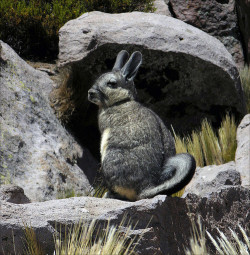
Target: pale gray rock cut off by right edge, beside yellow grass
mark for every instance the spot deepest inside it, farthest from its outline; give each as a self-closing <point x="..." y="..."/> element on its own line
<point x="242" y="156"/>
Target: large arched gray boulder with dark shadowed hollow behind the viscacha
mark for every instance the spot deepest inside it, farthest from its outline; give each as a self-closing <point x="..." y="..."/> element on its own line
<point x="186" y="75"/>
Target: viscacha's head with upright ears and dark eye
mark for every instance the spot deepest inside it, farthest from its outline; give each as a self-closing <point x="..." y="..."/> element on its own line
<point x="118" y="85"/>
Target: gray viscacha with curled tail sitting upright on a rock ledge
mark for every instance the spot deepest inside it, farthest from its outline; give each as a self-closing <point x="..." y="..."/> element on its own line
<point x="138" y="151"/>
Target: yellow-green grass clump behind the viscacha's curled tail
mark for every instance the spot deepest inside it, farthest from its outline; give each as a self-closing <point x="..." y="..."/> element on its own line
<point x="209" y="146"/>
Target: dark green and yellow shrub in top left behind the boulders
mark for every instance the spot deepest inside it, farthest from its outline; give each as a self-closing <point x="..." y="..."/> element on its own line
<point x="31" y="27"/>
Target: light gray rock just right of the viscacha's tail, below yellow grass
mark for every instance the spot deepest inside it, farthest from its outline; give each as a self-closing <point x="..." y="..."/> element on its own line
<point x="213" y="178"/>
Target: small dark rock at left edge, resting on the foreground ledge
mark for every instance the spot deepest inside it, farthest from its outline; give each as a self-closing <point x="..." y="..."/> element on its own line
<point x="13" y="194"/>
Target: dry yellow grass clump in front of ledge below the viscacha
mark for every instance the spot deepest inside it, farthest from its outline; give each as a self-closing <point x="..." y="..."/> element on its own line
<point x="87" y="239"/>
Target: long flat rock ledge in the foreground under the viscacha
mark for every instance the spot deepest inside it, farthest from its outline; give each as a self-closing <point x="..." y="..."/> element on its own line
<point x="167" y="233"/>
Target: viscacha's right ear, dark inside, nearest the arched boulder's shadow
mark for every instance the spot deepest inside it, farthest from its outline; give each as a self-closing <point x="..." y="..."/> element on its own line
<point x="131" y="67"/>
